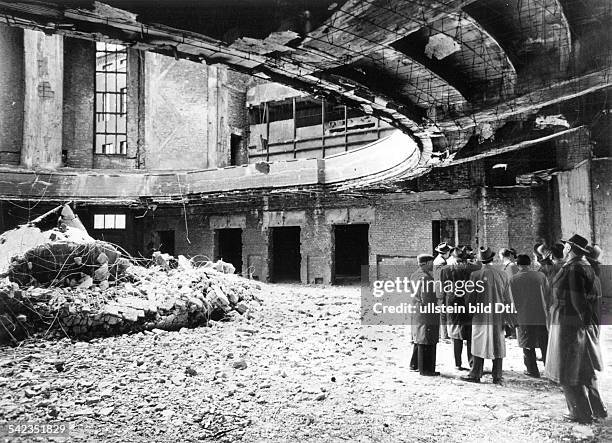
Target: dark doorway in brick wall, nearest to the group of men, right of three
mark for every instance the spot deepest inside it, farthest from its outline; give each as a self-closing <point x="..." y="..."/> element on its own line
<point x="351" y="252"/>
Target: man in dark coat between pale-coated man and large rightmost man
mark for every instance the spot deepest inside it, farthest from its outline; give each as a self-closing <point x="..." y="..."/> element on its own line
<point x="528" y="289"/>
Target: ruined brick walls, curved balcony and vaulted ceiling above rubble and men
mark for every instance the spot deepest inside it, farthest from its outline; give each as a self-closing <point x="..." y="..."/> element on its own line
<point x="302" y="143"/>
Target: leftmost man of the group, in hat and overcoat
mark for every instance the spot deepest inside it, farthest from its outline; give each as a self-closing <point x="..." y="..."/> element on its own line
<point x="425" y="321"/>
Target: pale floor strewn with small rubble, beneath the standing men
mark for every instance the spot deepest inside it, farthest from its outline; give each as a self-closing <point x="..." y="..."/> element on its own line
<point x="301" y="369"/>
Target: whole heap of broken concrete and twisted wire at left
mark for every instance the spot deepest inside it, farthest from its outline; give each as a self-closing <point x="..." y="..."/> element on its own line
<point x="59" y="281"/>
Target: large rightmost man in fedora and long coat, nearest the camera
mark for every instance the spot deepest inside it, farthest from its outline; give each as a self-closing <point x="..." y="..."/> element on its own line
<point x="573" y="345"/>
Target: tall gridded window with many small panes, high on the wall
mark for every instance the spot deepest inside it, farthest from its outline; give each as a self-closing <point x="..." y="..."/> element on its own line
<point x="111" y="99"/>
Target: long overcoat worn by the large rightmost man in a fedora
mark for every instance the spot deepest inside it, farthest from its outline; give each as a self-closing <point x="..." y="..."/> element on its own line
<point x="573" y="344"/>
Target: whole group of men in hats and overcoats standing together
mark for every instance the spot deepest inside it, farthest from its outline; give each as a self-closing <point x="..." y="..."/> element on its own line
<point x="553" y="302"/>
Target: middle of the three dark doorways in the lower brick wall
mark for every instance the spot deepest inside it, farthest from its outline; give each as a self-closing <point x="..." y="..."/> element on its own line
<point x="286" y="258"/>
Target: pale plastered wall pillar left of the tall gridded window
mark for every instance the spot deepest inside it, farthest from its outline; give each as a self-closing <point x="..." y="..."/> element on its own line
<point x="43" y="105"/>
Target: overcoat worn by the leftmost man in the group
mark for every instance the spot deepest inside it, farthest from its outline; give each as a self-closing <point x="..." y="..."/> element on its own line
<point x="425" y="320"/>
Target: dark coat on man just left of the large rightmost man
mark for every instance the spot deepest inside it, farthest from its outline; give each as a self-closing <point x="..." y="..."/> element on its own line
<point x="528" y="290"/>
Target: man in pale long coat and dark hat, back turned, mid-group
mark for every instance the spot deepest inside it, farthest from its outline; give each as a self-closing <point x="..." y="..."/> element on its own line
<point x="488" y="341"/>
